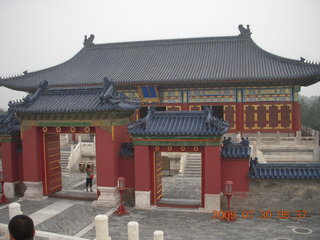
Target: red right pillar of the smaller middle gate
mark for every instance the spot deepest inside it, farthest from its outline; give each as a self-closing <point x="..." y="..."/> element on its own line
<point x="212" y="169"/>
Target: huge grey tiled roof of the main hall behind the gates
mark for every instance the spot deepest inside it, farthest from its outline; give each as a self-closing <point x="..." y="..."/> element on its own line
<point x="234" y="60"/>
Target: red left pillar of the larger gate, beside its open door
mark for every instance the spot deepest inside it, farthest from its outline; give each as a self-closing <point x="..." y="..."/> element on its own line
<point x="32" y="145"/>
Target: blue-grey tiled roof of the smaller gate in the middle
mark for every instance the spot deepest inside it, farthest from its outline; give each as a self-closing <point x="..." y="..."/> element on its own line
<point x="179" y="123"/>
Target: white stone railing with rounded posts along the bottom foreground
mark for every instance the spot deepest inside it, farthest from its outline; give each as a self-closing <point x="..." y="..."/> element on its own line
<point x="101" y="223"/>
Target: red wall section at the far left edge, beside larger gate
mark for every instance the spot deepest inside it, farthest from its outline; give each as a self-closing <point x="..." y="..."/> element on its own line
<point x="9" y="161"/>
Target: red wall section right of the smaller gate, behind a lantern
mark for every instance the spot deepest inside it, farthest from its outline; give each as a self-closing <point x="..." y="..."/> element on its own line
<point x="237" y="171"/>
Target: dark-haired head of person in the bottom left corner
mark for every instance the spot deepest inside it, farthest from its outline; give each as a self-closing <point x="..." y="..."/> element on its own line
<point x="21" y="227"/>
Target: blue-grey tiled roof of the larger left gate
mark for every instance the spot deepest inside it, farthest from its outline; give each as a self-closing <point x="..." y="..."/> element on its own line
<point x="77" y="99"/>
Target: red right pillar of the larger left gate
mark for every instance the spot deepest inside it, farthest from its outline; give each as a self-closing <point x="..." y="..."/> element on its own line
<point x="106" y="159"/>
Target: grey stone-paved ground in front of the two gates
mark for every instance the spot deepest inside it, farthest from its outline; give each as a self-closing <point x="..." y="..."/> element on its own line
<point x="75" y="218"/>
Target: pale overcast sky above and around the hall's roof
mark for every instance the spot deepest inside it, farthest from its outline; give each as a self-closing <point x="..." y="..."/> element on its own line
<point x="37" y="34"/>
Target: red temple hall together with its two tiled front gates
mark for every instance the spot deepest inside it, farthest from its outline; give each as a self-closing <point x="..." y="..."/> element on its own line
<point x="199" y="89"/>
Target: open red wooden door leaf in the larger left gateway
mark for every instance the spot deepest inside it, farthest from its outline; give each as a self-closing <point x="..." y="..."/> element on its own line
<point x="52" y="164"/>
